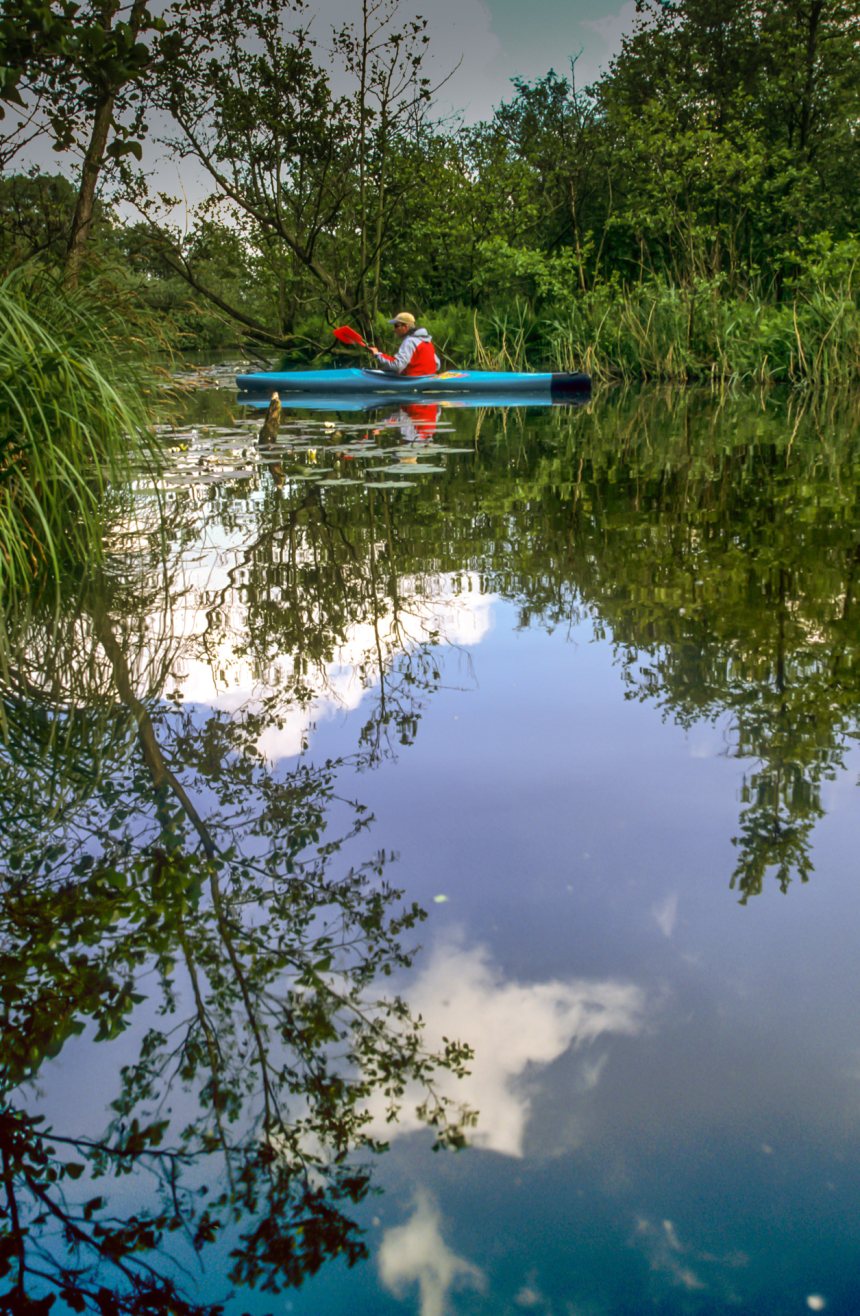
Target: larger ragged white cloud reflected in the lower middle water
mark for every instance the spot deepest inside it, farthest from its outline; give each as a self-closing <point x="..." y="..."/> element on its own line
<point x="513" y="1028"/>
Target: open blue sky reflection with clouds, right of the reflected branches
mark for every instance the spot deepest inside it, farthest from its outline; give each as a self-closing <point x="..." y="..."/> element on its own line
<point x="700" y="1153"/>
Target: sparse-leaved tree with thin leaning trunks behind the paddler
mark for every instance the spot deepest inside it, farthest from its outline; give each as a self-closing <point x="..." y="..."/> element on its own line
<point x="306" y="176"/>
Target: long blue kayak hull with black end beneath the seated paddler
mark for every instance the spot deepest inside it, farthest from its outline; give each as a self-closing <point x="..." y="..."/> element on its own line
<point x="451" y="382"/>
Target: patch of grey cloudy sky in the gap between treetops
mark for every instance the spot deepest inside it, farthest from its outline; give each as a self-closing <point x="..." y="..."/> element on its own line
<point x="497" y="40"/>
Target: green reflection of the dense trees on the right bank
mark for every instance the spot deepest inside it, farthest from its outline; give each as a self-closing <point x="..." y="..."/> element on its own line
<point x="716" y="543"/>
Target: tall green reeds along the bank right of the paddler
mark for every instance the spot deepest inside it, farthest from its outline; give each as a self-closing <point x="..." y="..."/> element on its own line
<point x="662" y="332"/>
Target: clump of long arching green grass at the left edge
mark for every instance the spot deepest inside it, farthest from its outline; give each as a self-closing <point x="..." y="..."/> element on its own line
<point x="73" y="424"/>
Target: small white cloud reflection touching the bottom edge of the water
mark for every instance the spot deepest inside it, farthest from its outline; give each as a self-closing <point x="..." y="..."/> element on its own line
<point x="417" y="1253"/>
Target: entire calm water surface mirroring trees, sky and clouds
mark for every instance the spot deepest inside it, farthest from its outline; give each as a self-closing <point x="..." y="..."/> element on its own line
<point x="578" y="685"/>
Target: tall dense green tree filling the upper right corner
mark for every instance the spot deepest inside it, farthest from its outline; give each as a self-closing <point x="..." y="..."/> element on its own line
<point x="729" y="123"/>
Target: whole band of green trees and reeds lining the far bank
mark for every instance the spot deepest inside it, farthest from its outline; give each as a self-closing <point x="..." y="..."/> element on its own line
<point x="671" y="222"/>
